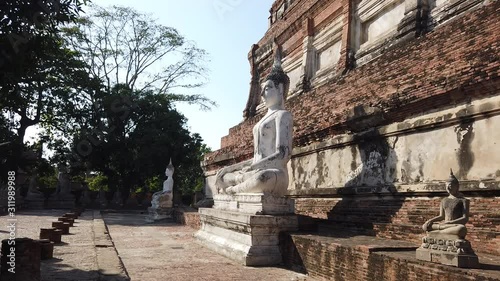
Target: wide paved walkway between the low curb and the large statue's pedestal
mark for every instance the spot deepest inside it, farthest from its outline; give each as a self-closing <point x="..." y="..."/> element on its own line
<point x="168" y="251"/>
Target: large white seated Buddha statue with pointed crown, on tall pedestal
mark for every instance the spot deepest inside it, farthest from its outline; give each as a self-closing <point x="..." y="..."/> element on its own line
<point x="272" y="135"/>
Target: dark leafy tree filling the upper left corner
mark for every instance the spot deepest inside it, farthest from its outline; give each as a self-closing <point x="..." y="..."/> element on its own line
<point x="34" y="66"/>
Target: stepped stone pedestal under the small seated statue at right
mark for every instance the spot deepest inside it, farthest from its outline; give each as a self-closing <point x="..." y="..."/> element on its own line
<point x="455" y="252"/>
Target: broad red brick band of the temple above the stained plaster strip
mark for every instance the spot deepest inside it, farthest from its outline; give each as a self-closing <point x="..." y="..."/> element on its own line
<point x="453" y="64"/>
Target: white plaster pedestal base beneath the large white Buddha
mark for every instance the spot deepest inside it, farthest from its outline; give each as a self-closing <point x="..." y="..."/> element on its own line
<point x="250" y="239"/>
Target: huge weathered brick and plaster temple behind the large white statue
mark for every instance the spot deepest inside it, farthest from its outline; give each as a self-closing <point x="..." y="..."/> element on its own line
<point x="386" y="96"/>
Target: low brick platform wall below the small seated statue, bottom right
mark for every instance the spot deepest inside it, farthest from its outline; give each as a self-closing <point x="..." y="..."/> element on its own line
<point x="323" y="259"/>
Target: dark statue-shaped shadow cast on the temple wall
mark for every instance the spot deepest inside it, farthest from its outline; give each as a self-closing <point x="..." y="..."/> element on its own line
<point x="369" y="198"/>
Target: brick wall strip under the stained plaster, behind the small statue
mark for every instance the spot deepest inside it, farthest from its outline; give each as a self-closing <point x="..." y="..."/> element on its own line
<point x="401" y="218"/>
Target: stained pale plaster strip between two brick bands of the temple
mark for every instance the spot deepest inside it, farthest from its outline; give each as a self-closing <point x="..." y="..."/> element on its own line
<point x="405" y="153"/>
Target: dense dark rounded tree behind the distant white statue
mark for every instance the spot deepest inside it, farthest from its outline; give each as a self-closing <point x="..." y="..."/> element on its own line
<point x="138" y="143"/>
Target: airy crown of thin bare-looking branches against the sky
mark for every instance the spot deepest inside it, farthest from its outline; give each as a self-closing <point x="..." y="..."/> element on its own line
<point x="125" y="47"/>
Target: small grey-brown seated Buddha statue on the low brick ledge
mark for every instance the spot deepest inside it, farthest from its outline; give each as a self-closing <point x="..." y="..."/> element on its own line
<point x="454" y="213"/>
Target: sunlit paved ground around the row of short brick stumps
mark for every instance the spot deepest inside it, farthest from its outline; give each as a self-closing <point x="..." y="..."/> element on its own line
<point x="77" y="258"/>
